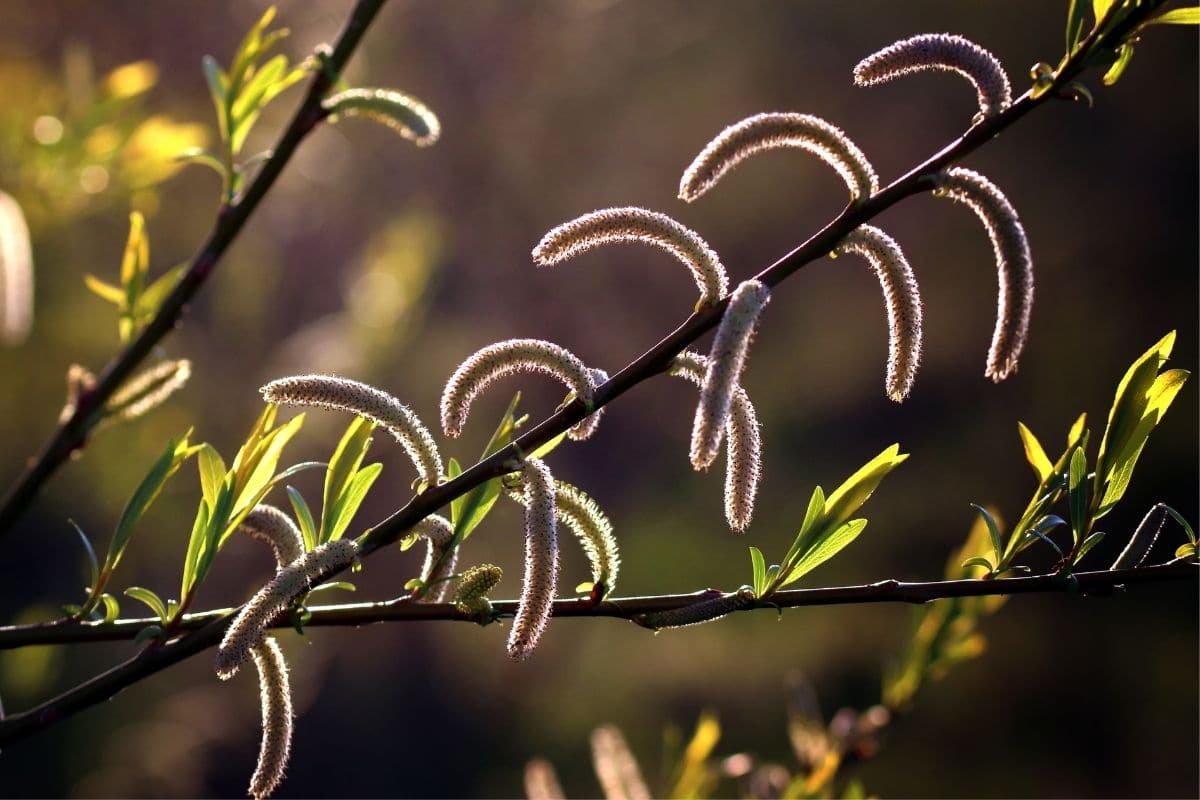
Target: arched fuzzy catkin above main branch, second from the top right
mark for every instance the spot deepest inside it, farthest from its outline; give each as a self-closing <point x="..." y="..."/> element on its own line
<point x="776" y="130"/>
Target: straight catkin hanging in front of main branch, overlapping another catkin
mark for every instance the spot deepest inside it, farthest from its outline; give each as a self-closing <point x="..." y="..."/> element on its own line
<point x="727" y="362"/>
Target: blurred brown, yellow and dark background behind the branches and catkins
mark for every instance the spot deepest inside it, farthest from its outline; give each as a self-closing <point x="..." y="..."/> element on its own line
<point x="391" y="264"/>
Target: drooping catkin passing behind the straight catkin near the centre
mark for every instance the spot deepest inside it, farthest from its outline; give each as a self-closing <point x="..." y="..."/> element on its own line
<point x="743" y="446"/>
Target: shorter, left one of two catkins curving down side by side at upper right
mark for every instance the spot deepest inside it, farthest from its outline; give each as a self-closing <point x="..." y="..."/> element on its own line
<point x="902" y="296"/>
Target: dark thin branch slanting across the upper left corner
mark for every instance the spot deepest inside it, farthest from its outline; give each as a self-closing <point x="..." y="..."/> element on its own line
<point x="73" y="434"/>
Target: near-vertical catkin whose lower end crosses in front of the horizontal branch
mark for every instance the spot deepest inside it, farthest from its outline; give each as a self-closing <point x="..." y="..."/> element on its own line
<point x="542" y="561"/>
